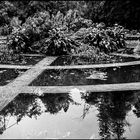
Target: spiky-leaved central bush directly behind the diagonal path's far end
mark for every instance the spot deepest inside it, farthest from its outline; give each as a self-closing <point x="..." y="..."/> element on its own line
<point x="58" y="43"/>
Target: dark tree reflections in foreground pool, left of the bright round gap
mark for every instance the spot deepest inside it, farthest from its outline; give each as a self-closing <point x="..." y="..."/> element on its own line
<point x="28" y="105"/>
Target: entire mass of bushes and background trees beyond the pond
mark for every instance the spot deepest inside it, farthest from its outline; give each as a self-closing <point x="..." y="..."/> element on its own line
<point x="65" y="27"/>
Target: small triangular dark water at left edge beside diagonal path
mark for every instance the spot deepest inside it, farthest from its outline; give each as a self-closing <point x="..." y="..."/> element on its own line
<point x="7" y="75"/>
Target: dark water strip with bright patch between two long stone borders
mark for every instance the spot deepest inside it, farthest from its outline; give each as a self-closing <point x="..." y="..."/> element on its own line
<point x="67" y="77"/>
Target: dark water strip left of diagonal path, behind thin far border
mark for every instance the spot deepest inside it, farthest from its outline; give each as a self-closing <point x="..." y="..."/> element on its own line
<point x="22" y="60"/>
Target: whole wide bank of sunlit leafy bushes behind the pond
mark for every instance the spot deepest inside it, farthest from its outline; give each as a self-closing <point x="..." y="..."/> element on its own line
<point x="63" y="34"/>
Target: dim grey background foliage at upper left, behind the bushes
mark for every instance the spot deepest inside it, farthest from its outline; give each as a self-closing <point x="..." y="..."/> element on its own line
<point x="25" y="9"/>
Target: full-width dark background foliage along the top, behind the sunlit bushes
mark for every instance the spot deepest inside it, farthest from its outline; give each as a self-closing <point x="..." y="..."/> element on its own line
<point x="109" y="12"/>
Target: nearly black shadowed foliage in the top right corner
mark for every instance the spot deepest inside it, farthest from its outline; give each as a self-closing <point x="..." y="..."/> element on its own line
<point x="121" y="12"/>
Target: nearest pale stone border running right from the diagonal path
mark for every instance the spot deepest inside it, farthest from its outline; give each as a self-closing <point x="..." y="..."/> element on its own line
<point x="90" y="88"/>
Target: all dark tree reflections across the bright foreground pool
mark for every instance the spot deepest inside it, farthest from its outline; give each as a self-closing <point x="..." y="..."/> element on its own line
<point x="112" y="107"/>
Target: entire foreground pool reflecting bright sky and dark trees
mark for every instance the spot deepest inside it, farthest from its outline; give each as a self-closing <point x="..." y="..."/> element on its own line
<point x="91" y="116"/>
